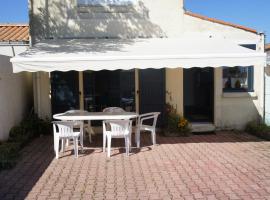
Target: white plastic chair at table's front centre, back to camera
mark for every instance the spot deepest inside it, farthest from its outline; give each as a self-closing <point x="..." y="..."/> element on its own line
<point x="117" y="129"/>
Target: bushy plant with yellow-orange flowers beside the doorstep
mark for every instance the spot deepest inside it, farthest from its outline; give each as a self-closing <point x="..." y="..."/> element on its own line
<point x="176" y="124"/>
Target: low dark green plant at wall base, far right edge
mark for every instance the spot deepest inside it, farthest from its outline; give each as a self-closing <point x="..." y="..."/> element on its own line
<point x="258" y="129"/>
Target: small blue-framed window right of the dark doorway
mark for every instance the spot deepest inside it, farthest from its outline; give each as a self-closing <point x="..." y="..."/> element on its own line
<point x="238" y="79"/>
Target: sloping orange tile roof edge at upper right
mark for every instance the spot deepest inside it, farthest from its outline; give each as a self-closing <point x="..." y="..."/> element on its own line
<point x="220" y="22"/>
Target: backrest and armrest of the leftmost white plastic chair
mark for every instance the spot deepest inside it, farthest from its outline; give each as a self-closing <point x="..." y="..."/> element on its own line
<point x="65" y="128"/>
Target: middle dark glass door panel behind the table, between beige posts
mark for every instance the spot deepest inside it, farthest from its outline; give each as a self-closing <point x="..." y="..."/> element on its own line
<point x="109" y="89"/>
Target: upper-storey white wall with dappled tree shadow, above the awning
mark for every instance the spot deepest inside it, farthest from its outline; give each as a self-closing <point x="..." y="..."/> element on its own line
<point x="146" y="18"/>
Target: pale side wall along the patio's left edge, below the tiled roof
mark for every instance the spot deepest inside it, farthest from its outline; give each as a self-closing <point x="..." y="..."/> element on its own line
<point x="16" y="94"/>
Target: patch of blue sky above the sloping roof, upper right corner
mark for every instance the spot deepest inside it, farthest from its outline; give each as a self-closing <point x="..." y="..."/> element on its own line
<point x="251" y="13"/>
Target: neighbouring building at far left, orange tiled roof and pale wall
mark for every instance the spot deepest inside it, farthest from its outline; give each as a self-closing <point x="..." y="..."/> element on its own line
<point x="16" y="89"/>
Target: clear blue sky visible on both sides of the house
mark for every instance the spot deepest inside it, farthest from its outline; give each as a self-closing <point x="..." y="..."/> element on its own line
<point x="251" y="13"/>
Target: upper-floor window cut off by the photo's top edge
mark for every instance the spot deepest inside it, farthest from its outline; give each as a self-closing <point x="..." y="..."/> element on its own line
<point x="105" y="2"/>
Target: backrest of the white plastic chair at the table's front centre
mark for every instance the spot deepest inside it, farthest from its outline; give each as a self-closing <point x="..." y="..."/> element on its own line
<point x="118" y="127"/>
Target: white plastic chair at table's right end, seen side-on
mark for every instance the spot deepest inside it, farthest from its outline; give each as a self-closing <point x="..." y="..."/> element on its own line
<point x="144" y="127"/>
